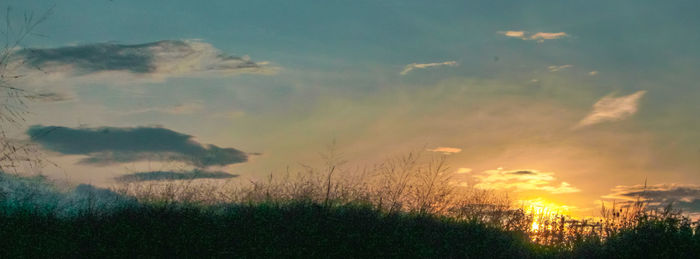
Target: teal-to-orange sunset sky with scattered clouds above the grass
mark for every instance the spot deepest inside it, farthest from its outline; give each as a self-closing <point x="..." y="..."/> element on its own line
<point x="573" y="102"/>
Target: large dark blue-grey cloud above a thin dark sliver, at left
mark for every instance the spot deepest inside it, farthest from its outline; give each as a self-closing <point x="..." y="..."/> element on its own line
<point x="108" y="145"/>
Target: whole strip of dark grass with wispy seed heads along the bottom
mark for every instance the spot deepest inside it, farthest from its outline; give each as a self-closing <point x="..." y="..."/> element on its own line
<point x="402" y="208"/>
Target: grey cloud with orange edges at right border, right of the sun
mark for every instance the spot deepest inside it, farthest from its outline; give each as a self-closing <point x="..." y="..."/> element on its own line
<point x="683" y="196"/>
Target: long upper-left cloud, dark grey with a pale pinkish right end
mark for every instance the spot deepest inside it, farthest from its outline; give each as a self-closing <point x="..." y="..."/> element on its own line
<point x="161" y="59"/>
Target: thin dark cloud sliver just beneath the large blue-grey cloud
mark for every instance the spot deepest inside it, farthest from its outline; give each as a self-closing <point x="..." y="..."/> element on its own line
<point x="169" y="175"/>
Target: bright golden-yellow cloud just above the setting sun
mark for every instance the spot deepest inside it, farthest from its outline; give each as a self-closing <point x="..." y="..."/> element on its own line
<point x="522" y="180"/>
